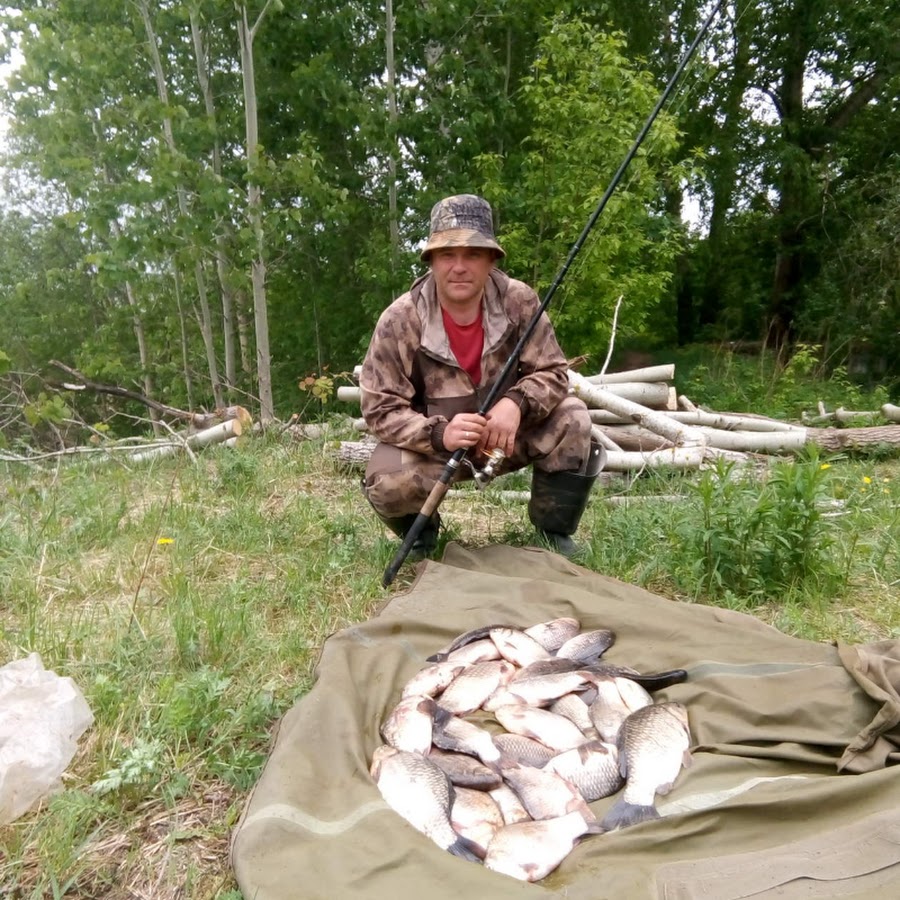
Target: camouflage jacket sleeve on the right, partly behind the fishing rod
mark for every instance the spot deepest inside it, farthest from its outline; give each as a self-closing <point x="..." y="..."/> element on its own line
<point x="543" y="382"/>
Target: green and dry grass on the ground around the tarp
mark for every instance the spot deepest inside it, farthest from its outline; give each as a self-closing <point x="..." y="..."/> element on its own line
<point x="189" y="601"/>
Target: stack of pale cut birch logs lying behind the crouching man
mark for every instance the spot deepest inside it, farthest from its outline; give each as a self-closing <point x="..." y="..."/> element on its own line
<point x="642" y="422"/>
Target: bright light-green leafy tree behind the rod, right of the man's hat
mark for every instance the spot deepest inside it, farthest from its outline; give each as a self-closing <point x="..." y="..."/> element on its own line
<point x="581" y="75"/>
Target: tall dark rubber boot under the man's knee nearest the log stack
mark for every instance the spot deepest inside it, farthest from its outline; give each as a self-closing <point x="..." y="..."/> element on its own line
<point x="558" y="501"/>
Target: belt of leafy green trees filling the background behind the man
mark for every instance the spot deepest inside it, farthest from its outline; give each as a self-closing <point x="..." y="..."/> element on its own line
<point x="128" y="211"/>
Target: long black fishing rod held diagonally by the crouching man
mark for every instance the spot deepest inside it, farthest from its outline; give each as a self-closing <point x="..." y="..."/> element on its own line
<point x="433" y="500"/>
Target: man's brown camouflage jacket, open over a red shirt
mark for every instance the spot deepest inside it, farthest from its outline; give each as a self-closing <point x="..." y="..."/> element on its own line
<point x="412" y="384"/>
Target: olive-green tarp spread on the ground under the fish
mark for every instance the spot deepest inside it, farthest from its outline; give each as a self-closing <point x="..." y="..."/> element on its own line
<point x="792" y="792"/>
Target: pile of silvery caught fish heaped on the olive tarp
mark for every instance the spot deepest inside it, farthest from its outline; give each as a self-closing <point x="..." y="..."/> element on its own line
<point x="497" y="747"/>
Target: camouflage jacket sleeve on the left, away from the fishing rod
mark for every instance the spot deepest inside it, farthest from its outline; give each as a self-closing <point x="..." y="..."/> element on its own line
<point x="387" y="390"/>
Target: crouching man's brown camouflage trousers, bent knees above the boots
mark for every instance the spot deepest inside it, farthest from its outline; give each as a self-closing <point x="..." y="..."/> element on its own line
<point x="398" y="481"/>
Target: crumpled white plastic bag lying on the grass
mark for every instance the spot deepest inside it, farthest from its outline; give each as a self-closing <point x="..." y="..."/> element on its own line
<point x="41" y="718"/>
